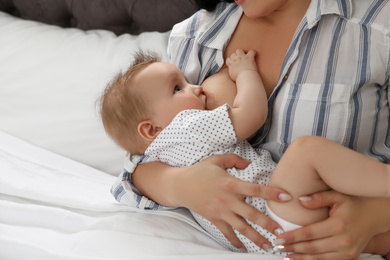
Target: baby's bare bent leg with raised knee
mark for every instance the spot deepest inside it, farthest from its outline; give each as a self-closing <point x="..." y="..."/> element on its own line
<point x="313" y="164"/>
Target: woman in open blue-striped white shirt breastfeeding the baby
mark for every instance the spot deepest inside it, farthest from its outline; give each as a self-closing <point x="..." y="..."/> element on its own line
<point x="325" y="69"/>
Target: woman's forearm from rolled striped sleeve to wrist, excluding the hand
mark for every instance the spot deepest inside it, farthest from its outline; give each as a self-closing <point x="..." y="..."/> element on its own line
<point x="155" y="181"/>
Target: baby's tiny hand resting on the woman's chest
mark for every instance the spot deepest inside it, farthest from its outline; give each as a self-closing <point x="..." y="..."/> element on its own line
<point x="239" y="61"/>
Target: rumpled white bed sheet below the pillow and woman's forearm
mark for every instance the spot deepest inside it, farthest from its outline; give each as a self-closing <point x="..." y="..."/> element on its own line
<point x="52" y="207"/>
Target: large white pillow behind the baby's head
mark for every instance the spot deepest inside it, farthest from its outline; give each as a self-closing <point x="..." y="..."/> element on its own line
<point x="50" y="78"/>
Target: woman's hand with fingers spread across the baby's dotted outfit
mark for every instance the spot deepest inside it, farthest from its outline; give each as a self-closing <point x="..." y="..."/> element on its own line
<point x="212" y="193"/>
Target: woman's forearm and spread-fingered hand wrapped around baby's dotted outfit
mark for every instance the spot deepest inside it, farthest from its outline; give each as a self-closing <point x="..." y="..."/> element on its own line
<point x="208" y="190"/>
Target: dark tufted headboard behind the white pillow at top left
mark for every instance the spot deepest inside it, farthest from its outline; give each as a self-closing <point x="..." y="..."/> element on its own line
<point x="119" y="16"/>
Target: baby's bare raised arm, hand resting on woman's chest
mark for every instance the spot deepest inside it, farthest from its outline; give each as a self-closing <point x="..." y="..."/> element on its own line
<point x="249" y="110"/>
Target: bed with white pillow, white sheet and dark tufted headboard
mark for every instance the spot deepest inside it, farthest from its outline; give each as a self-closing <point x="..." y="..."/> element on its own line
<point x="56" y="162"/>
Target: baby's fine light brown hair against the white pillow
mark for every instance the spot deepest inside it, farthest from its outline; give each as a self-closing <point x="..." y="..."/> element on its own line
<point x="122" y="107"/>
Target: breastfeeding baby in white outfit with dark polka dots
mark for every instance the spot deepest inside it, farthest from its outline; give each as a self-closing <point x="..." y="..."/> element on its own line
<point x="152" y="110"/>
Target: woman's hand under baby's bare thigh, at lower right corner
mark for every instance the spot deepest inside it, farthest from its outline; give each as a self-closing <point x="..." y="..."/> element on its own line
<point x="353" y="221"/>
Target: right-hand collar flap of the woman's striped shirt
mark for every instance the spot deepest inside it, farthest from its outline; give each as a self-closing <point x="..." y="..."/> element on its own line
<point x="318" y="8"/>
